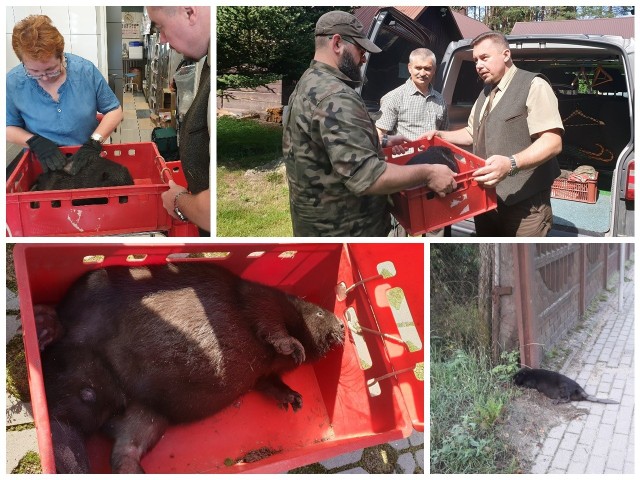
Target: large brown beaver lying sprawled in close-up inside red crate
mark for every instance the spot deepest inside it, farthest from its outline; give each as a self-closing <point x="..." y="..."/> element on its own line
<point x="146" y="347"/>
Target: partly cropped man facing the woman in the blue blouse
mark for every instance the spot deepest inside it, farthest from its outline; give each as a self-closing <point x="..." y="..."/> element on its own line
<point x="188" y="31"/>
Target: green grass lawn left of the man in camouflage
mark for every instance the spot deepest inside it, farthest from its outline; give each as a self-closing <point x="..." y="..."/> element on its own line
<point x="250" y="203"/>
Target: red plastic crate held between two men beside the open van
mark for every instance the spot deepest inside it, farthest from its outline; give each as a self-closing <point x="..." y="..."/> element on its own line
<point x="419" y="210"/>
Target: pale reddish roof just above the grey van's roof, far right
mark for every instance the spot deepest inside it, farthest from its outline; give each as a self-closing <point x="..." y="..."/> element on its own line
<point x="622" y="26"/>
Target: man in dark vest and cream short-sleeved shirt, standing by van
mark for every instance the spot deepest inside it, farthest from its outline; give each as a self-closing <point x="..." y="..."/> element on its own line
<point x="516" y="126"/>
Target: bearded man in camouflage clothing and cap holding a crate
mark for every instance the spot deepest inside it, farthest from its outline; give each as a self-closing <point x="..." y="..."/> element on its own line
<point x="337" y="174"/>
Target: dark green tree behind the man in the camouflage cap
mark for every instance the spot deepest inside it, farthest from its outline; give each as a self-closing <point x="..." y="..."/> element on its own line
<point x="257" y="45"/>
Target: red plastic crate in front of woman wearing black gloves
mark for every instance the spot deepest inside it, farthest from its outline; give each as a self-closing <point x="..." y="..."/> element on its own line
<point x="128" y="209"/>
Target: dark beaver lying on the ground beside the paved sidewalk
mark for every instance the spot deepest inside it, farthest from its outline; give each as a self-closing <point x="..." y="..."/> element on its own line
<point x="554" y="385"/>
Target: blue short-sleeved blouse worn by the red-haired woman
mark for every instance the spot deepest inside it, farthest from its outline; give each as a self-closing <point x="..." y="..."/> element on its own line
<point x="72" y="119"/>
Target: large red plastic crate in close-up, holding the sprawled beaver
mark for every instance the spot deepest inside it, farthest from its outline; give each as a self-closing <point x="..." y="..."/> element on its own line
<point x="340" y="414"/>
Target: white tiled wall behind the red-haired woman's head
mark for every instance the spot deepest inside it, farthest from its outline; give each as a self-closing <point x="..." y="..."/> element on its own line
<point x="80" y="26"/>
